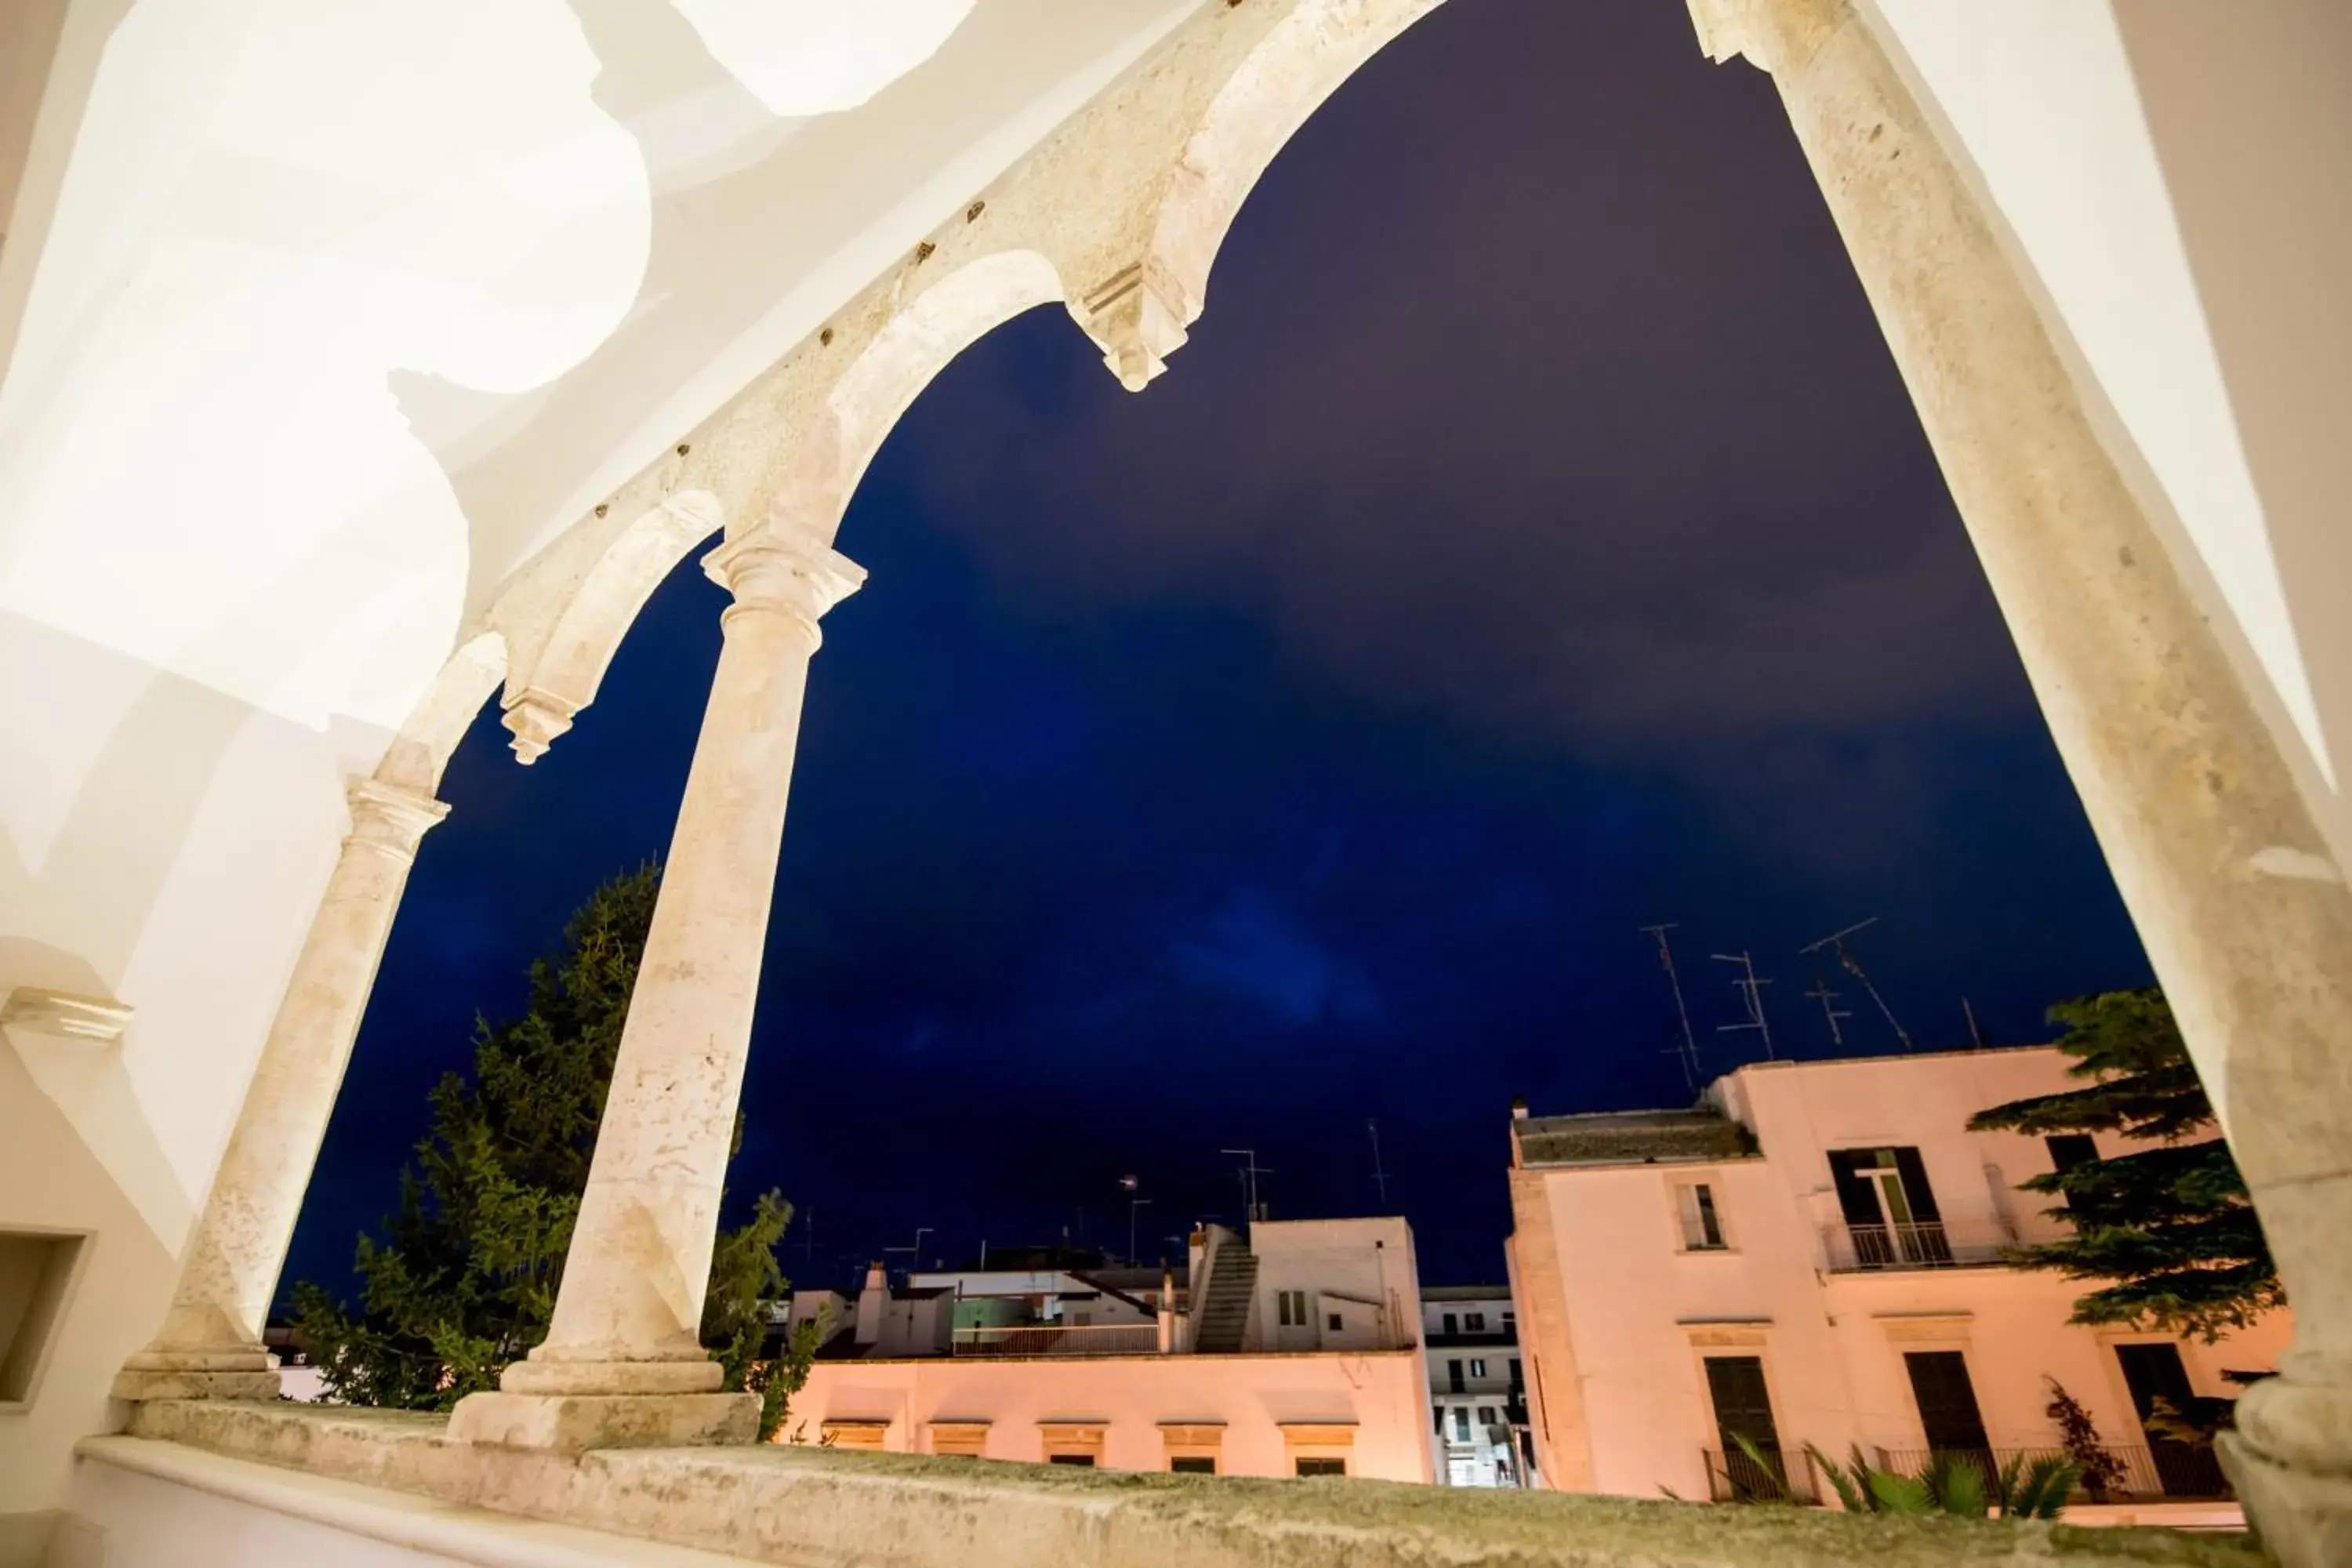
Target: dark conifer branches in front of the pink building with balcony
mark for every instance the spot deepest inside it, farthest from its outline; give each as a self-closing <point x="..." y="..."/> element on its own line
<point x="2167" y="1226"/>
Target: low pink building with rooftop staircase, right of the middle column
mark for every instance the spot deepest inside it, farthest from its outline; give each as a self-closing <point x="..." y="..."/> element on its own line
<point x="1285" y="1353"/>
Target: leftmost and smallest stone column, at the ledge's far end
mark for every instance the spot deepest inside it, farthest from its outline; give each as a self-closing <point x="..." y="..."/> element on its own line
<point x="211" y="1341"/>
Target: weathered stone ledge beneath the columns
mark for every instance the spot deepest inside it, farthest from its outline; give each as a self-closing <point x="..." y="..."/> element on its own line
<point x="881" y="1510"/>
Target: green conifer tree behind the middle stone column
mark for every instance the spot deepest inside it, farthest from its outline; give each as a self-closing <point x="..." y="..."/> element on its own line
<point x="465" y="1278"/>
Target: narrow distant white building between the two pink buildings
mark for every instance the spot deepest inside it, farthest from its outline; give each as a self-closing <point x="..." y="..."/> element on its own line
<point x="1478" y="1386"/>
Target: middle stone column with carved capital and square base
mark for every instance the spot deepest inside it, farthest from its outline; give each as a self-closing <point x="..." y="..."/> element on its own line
<point x="624" y="1362"/>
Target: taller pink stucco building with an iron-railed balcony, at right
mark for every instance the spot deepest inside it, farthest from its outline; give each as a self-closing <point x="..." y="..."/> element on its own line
<point x="1812" y="1257"/>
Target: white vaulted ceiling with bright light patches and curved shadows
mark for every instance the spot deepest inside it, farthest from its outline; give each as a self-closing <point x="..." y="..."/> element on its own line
<point x="340" y="311"/>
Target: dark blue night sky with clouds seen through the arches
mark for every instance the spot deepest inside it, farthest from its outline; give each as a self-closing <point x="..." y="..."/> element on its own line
<point x="1532" y="544"/>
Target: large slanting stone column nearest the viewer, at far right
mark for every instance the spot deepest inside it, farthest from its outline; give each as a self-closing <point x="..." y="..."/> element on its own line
<point x="2236" y="894"/>
